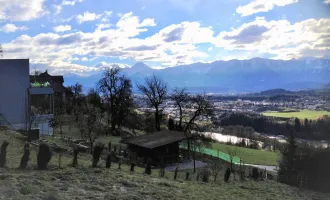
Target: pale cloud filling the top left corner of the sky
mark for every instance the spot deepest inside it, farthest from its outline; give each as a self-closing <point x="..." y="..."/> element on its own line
<point x="21" y="10"/>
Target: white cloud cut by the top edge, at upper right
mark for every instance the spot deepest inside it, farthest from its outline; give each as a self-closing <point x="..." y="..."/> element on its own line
<point x="257" y="6"/>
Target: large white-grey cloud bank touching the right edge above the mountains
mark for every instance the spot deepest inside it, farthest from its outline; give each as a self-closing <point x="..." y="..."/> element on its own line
<point x="281" y="38"/>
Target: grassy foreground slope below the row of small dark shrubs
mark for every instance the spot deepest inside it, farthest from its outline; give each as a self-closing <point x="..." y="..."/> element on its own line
<point x="85" y="182"/>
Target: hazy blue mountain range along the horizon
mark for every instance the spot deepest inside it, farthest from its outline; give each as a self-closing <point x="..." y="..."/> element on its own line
<point x="253" y="75"/>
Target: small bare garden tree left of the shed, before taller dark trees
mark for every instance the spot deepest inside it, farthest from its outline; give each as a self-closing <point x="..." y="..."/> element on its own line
<point x="90" y="124"/>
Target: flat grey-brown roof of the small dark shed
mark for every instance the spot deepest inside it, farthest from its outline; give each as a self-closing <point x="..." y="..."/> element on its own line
<point x="157" y="139"/>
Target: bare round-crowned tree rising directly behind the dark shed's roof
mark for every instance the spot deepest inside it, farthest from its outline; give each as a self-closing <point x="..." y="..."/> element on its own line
<point x="155" y="89"/>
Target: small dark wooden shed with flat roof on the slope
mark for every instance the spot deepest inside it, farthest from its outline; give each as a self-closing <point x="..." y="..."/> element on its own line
<point x="157" y="146"/>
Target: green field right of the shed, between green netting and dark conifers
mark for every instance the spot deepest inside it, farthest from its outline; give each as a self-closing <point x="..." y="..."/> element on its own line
<point x="250" y="156"/>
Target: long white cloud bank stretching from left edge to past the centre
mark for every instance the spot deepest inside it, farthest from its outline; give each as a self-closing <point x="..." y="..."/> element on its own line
<point x="118" y="41"/>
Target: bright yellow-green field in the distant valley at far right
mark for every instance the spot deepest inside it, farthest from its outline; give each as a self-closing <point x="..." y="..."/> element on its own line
<point x="309" y="114"/>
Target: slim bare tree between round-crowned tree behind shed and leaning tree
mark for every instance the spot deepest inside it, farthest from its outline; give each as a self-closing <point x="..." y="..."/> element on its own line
<point x="180" y="96"/>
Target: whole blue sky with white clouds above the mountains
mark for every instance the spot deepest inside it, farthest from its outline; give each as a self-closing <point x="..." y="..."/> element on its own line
<point x="80" y="36"/>
